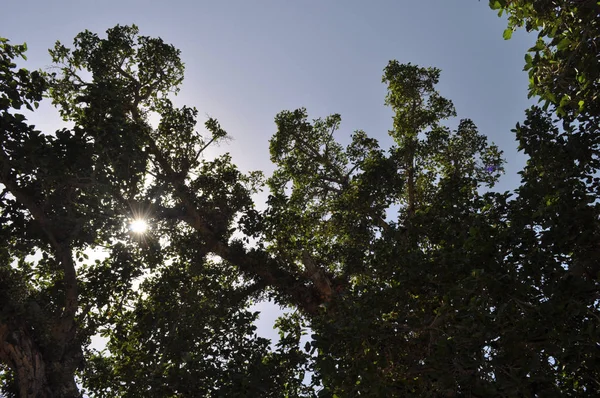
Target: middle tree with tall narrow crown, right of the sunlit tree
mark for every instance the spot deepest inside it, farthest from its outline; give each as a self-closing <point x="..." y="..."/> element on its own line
<point x="331" y="209"/>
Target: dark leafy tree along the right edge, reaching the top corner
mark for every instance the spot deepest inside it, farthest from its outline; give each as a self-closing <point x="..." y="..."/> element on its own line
<point x="555" y="216"/>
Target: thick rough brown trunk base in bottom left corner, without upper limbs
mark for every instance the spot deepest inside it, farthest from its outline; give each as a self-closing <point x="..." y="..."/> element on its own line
<point x="35" y="375"/>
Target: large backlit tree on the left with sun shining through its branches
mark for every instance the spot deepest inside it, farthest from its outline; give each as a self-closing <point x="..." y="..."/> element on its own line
<point x="72" y="193"/>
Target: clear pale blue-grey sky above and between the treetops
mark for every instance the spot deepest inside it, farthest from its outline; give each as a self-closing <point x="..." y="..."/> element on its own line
<point x="248" y="60"/>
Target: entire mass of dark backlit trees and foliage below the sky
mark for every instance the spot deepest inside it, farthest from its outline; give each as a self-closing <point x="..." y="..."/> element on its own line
<point x="413" y="277"/>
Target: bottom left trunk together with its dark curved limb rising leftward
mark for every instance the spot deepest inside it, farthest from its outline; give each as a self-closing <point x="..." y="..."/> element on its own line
<point x="47" y="370"/>
